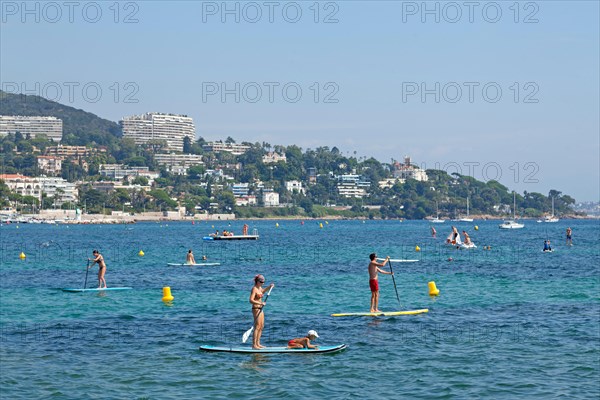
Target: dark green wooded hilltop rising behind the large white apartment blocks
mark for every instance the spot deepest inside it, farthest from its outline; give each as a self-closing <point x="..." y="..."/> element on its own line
<point x="79" y="127"/>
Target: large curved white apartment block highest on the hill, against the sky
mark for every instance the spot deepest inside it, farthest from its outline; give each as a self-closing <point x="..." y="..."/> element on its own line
<point x="152" y="126"/>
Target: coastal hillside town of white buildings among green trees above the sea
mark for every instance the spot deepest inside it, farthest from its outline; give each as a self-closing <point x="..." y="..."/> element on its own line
<point x="153" y="164"/>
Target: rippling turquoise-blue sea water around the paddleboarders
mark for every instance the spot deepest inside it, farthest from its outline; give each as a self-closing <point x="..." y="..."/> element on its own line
<point x="512" y="322"/>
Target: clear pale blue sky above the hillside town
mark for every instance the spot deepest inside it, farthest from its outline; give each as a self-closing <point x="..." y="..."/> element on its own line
<point x="494" y="90"/>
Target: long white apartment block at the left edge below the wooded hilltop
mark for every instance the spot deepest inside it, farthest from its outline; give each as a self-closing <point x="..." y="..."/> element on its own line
<point x="34" y="126"/>
